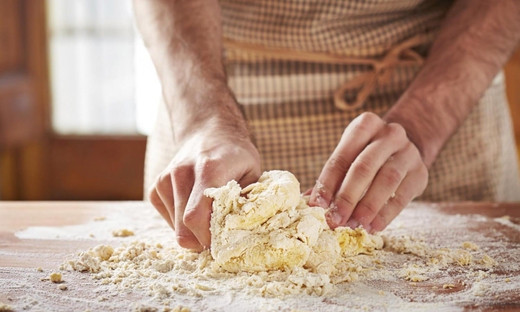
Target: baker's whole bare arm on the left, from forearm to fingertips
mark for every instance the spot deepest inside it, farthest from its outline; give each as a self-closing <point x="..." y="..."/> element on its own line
<point x="184" y="39"/>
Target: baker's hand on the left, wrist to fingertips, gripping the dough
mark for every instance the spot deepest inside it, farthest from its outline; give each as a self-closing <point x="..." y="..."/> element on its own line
<point x="209" y="158"/>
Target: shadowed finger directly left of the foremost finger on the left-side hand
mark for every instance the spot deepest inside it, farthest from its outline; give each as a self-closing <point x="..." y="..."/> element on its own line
<point x="182" y="182"/>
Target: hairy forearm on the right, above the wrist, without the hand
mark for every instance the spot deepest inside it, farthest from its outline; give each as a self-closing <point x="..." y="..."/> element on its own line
<point x="473" y="44"/>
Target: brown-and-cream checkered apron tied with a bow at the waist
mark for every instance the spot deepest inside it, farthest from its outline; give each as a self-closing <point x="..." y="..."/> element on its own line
<point x="302" y="70"/>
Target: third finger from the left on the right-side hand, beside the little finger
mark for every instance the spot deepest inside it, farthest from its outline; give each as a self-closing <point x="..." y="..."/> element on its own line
<point x="384" y="186"/>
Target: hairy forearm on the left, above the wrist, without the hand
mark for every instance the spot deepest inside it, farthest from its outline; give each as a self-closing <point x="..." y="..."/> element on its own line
<point x="184" y="41"/>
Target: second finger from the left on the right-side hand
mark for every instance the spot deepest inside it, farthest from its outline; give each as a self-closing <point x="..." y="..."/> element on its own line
<point x="363" y="171"/>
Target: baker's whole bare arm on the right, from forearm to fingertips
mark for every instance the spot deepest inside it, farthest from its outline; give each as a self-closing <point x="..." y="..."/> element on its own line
<point x="380" y="165"/>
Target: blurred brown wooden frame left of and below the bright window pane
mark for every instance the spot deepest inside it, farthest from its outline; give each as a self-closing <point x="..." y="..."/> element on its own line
<point x="54" y="167"/>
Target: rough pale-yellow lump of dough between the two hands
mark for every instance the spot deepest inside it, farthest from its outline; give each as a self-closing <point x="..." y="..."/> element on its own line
<point x="269" y="226"/>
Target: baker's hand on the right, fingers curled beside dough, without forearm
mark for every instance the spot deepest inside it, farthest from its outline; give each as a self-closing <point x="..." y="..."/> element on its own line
<point x="373" y="173"/>
